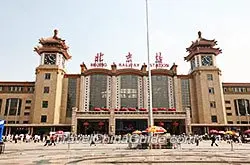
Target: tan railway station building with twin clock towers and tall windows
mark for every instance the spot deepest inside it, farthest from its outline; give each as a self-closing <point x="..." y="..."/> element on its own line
<point x="116" y="100"/>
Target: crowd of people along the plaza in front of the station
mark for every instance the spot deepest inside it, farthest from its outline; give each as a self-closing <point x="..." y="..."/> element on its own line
<point x="52" y="139"/>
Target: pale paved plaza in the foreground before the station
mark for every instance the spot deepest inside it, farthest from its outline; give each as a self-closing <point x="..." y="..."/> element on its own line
<point x="36" y="153"/>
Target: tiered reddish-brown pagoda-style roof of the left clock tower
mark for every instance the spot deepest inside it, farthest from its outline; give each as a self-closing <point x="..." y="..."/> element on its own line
<point x="53" y="44"/>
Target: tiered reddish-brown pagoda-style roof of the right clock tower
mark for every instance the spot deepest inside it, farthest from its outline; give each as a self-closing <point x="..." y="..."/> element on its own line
<point x="202" y="46"/>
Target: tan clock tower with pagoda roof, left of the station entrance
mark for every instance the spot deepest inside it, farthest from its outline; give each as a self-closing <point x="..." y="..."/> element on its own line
<point x="49" y="79"/>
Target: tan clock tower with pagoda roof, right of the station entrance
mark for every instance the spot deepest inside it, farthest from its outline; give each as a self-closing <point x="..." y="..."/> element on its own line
<point x="205" y="86"/>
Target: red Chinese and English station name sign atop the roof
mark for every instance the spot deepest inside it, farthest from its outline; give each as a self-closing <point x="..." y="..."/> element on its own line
<point x="99" y="62"/>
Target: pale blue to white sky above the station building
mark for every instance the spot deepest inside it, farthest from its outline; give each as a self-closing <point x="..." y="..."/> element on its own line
<point x="116" y="27"/>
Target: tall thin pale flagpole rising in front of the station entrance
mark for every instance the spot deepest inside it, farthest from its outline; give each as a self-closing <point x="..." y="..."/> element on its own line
<point x="150" y="111"/>
